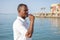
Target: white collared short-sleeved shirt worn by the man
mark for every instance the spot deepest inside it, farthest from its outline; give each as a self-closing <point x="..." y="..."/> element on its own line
<point x="19" y="29"/>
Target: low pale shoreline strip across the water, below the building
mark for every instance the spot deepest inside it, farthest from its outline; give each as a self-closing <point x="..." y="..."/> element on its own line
<point x="47" y="15"/>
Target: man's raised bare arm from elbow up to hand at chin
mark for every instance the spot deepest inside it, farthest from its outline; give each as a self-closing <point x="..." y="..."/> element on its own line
<point x="30" y="30"/>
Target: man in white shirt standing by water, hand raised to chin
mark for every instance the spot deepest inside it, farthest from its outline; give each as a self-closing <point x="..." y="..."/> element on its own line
<point x="20" y="29"/>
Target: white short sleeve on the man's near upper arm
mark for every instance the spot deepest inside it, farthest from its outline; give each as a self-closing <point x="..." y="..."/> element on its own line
<point x="20" y="28"/>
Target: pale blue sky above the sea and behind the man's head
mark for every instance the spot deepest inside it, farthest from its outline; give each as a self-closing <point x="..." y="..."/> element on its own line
<point x="34" y="6"/>
